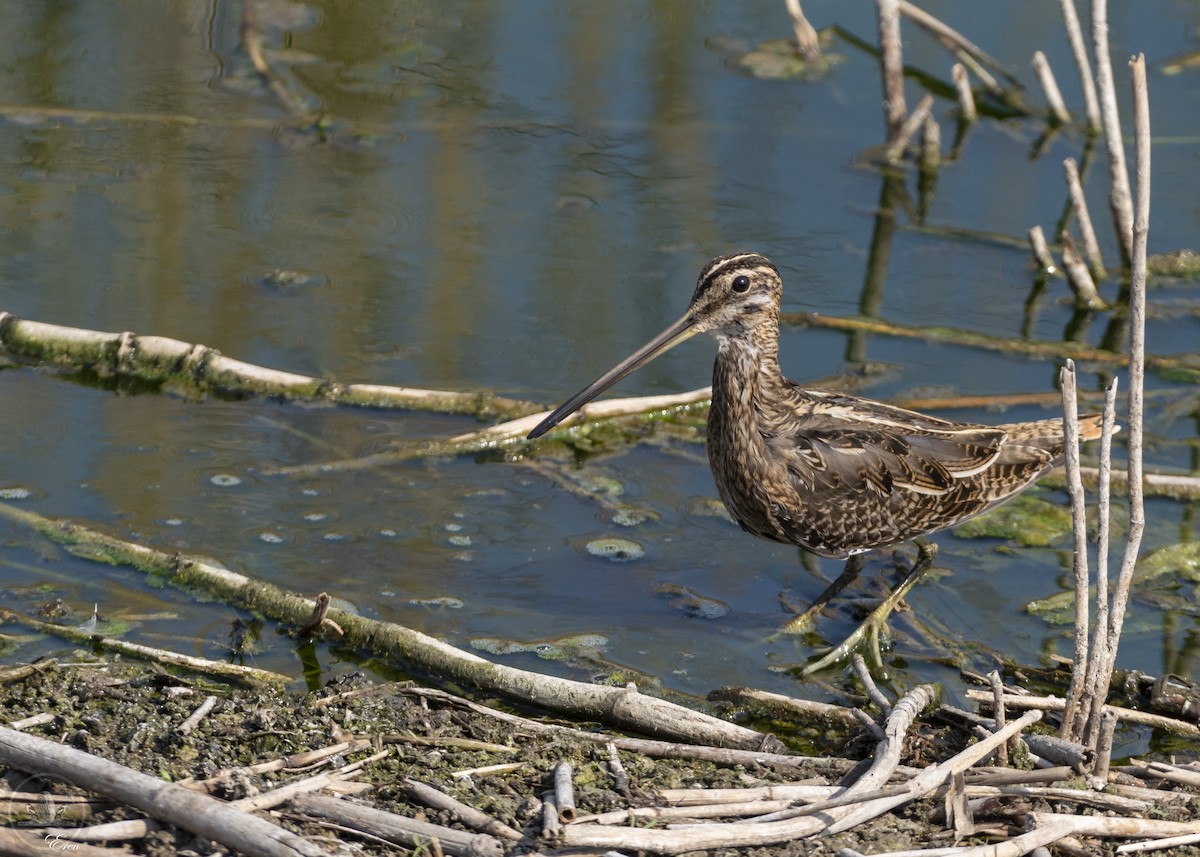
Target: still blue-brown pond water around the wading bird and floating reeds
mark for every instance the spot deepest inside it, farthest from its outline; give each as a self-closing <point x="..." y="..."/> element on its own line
<point x="508" y="196"/>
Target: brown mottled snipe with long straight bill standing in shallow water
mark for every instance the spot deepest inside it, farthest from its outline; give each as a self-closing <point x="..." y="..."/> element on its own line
<point x="832" y="474"/>
